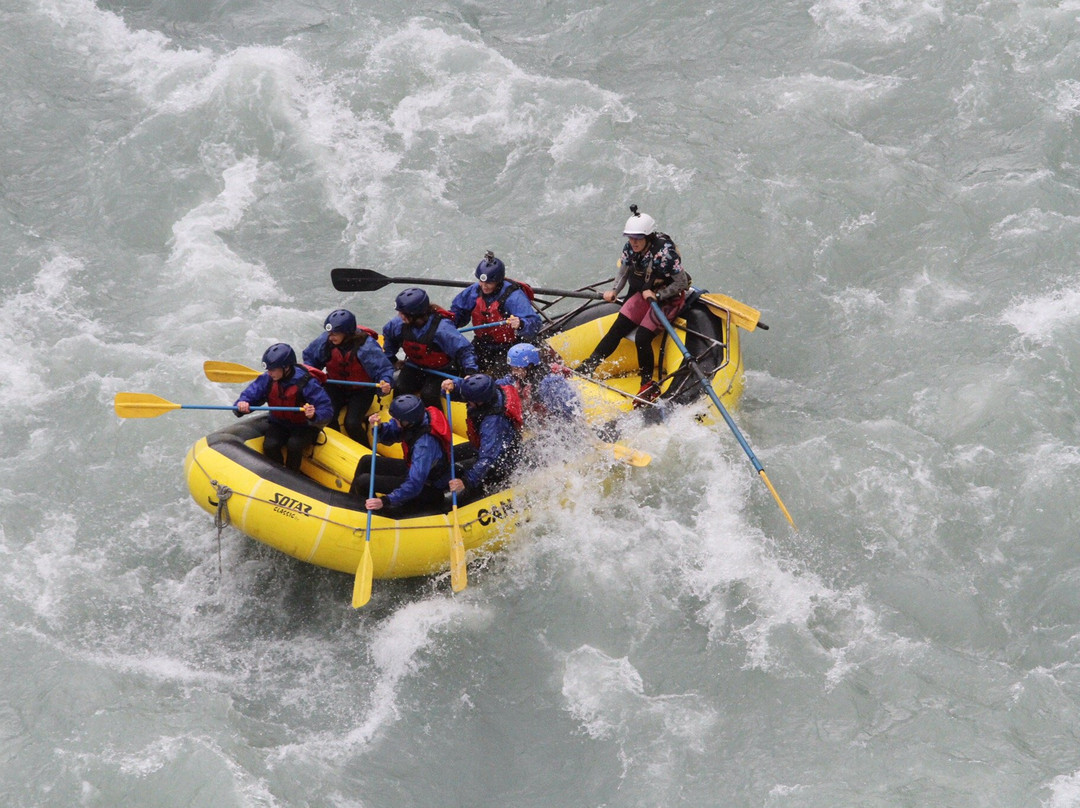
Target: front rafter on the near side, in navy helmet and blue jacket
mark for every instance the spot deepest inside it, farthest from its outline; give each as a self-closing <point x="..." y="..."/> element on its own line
<point x="423" y="476"/>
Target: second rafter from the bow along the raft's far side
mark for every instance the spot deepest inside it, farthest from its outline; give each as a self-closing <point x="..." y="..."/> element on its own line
<point x="350" y="354"/>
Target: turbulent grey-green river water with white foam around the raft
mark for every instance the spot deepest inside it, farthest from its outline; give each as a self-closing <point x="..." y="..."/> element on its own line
<point x="895" y="183"/>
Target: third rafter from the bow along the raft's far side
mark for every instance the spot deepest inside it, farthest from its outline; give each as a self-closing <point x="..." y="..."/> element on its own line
<point x="429" y="341"/>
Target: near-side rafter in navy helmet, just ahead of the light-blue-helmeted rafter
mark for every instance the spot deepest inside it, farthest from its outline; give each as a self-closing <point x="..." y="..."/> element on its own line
<point x="495" y="432"/>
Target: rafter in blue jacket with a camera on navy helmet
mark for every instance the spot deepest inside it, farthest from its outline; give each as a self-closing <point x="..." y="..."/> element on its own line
<point x="493" y="300"/>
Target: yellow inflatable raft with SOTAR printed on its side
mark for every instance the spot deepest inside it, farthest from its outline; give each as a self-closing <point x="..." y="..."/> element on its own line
<point x="313" y="517"/>
